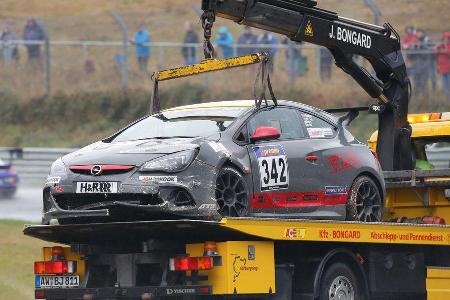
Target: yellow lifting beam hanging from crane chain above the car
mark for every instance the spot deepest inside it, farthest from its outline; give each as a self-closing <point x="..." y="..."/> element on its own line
<point x="209" y="65"/>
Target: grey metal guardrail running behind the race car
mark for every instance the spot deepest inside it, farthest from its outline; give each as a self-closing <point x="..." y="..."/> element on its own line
<point x="35" y="162"/>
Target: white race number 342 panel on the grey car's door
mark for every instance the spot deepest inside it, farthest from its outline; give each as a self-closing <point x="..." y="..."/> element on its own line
<point x="273" y="167"/>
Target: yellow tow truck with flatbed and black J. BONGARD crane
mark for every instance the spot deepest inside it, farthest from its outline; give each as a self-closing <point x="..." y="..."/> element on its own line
<point x="249" y="258"/>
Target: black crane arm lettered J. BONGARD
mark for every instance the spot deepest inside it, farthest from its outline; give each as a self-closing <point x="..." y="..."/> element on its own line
<point x="301" y="20"/>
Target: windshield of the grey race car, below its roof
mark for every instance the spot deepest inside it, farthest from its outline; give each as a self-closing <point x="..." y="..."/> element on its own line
<point x="182" y="123"/>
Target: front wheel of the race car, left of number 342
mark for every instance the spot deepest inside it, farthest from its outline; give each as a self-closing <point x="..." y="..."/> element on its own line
<point x="232" y="193"/>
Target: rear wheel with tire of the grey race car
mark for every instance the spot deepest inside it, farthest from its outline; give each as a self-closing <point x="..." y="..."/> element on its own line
<point x="365" y="203"/>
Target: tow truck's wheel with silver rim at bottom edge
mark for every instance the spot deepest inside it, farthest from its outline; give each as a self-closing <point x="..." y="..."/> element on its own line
<point x="339" y="282"/>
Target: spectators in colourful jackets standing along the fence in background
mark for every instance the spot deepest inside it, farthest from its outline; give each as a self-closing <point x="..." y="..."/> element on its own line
<point x="426" y="58"/>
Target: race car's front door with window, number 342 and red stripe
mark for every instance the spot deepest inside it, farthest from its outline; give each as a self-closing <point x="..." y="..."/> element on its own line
<point x="279" y="168"/>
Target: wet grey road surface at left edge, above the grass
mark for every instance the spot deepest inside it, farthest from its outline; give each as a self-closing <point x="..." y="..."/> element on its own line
<point x="25" y="205"/>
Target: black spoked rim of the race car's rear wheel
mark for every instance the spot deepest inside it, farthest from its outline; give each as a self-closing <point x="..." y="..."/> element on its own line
<point x="368" y="203"/>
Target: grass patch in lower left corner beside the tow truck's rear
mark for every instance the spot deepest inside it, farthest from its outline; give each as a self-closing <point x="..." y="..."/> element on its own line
<point x="17" y="254"/>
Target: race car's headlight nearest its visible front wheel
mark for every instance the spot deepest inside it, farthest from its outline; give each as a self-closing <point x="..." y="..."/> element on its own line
<point x="171" y="163"/>
